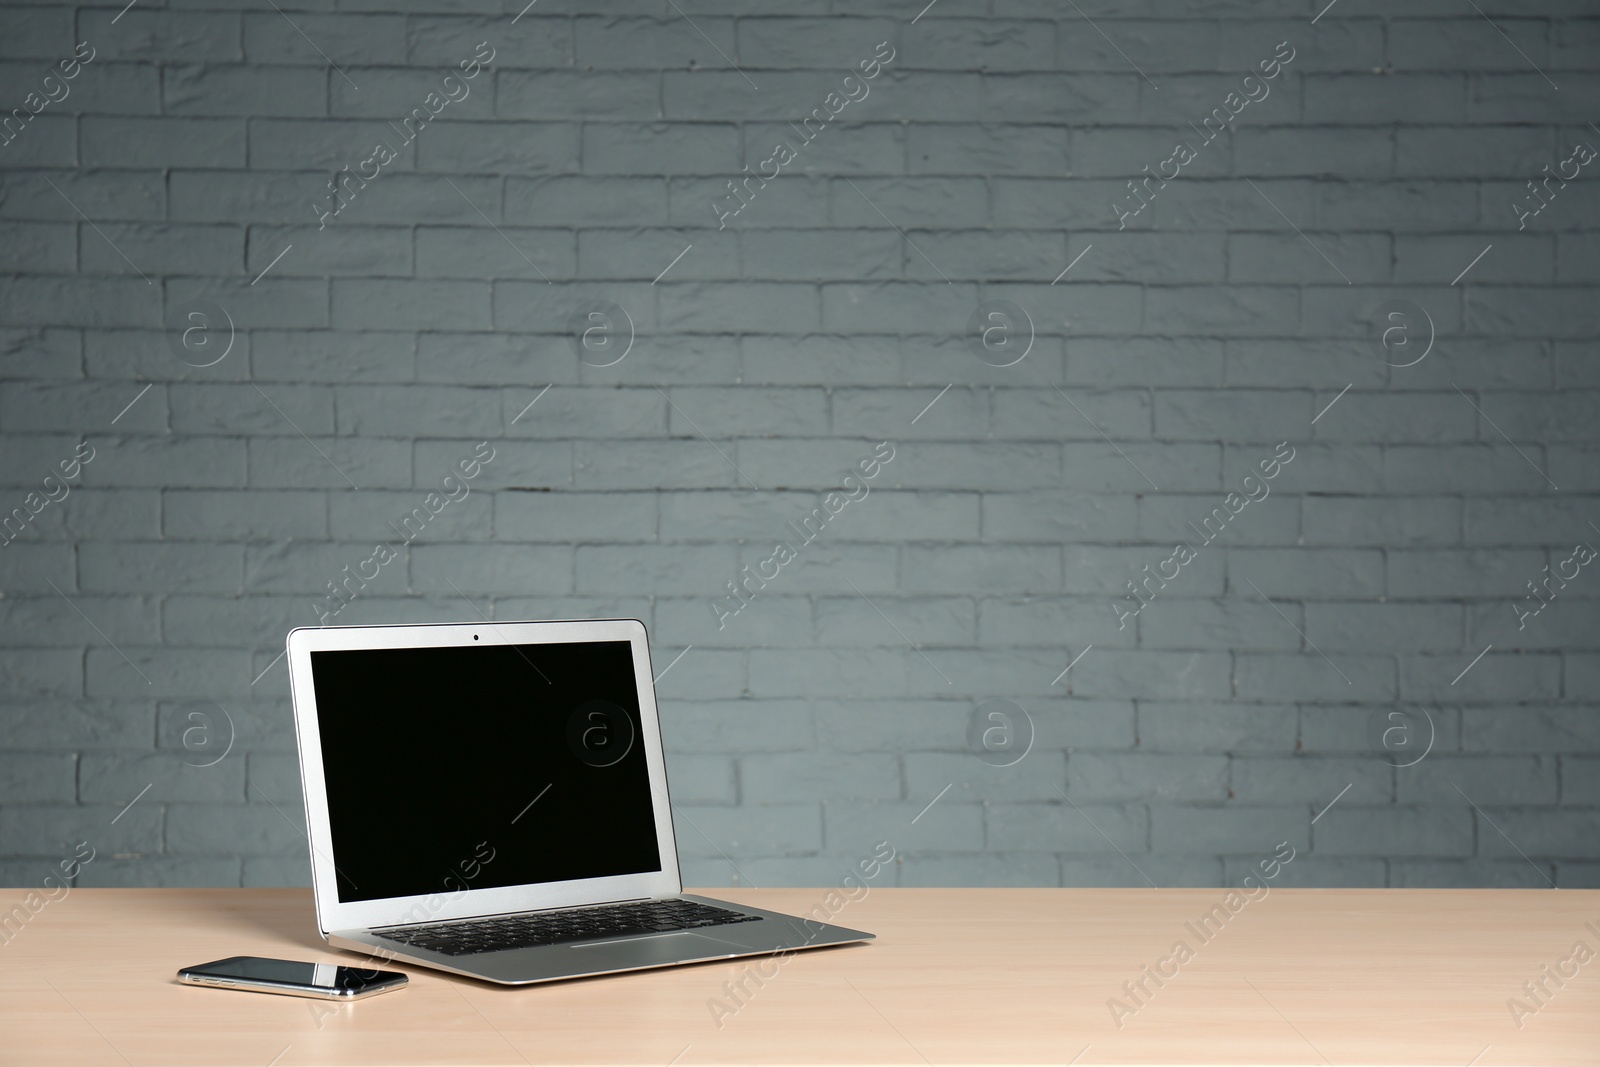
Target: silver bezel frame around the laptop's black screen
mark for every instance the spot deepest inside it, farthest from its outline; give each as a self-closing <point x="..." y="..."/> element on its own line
<point x="335" y="916"/>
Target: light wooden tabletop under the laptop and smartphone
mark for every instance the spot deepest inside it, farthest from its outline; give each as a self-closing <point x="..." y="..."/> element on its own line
<point x="956" y="977"/>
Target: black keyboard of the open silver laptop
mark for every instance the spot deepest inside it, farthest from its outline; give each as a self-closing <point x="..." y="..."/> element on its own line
<point x="551" y="929"/>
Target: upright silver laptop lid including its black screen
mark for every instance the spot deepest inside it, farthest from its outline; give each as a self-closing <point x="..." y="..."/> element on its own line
<point x="479" y="769"/>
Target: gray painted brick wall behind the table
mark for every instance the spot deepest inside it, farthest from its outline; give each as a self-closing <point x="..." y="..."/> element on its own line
<point x="169" y="210"/>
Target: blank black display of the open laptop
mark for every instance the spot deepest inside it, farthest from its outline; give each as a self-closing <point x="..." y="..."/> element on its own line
<point x="482" y="767"/>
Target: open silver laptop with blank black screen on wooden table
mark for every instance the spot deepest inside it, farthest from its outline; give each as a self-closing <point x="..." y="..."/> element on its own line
<point x="492" y="801"/>
